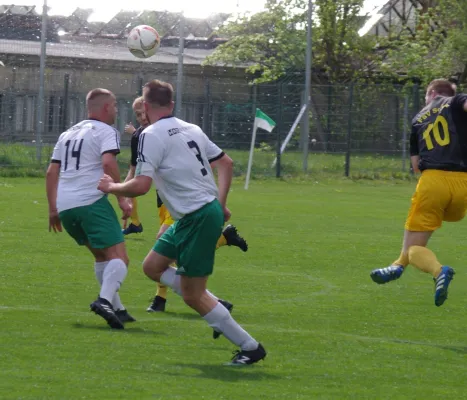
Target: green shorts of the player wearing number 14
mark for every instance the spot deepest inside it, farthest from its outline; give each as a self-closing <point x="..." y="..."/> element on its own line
<point x="96" y="224"/>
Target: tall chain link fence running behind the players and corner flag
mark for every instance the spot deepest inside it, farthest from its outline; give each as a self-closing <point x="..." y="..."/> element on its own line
<point x="355" y="130"/>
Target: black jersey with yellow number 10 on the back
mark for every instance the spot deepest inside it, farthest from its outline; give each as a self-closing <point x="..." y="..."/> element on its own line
<point x="439" y="134"/>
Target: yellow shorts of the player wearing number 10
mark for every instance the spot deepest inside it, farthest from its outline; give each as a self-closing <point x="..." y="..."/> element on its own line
<point x="439" y="196"/>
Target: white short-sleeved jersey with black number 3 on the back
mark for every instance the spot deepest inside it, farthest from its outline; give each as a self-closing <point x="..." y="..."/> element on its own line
<point x="176" y="155"/>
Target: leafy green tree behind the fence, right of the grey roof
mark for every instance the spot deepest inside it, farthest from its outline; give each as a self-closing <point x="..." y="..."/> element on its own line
<point x="273" y="42"/>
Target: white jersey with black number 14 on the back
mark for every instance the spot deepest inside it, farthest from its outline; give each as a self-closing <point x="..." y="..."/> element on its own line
<point x="79" y="151"/>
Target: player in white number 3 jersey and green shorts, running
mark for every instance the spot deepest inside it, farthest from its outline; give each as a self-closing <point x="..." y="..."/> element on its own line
<point x="178" y="157"/>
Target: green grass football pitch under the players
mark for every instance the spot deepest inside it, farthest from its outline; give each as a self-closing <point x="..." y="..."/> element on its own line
<point x="302" y="289"/>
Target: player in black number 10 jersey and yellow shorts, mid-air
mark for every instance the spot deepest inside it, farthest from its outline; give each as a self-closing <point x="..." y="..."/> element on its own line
<point x="438" y="149"/>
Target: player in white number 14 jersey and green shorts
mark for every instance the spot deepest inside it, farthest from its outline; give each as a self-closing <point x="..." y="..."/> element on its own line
<point x="82" y="154"/>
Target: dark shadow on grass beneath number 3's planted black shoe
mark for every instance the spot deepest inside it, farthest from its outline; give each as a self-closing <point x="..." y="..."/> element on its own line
<point x="228" y="373"/>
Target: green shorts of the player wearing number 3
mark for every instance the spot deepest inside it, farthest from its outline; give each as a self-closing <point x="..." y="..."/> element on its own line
<point x="192" y="240"/>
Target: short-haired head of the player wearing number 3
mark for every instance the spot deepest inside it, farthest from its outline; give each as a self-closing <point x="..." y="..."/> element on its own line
<point x="158" y="100"/>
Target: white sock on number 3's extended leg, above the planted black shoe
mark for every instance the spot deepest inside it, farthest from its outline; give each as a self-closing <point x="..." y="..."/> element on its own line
<point x="220" y="319"/>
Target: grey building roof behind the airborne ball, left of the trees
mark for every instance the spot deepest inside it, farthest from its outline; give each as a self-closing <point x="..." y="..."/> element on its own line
<point x="74" y="37"/>
